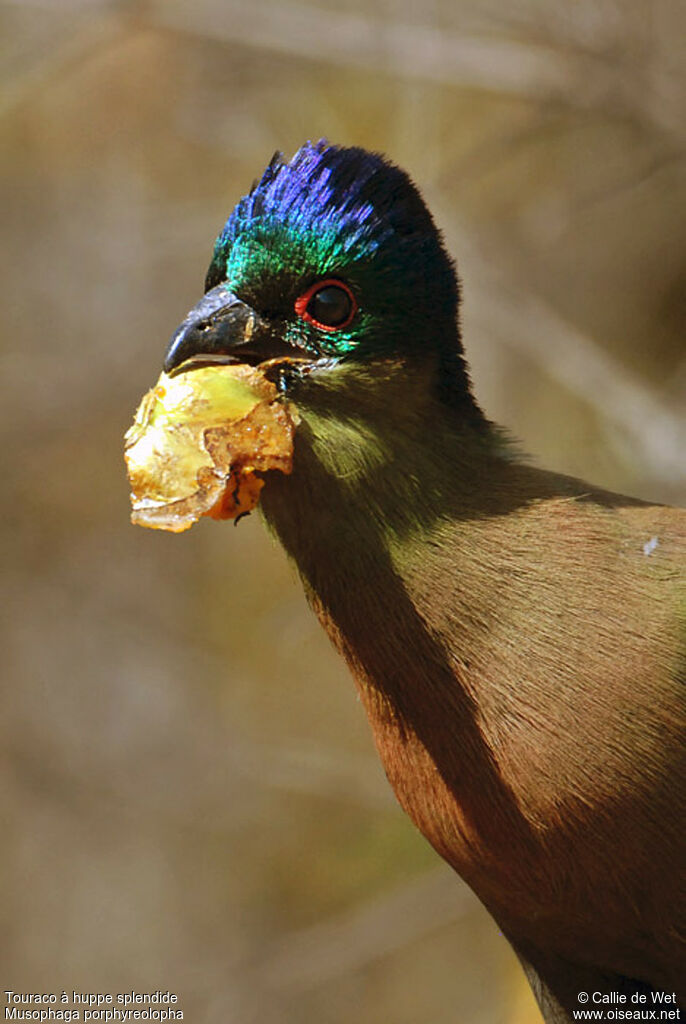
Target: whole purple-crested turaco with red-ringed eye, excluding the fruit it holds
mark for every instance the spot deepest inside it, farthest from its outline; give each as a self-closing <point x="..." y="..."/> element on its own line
<point x="518" y="636"/>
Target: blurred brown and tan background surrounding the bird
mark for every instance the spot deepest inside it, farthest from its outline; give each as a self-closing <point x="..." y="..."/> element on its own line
<point x="191" y="798"/>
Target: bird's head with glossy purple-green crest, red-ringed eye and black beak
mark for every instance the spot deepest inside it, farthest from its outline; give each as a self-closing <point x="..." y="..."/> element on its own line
<point x="333" y="260"/>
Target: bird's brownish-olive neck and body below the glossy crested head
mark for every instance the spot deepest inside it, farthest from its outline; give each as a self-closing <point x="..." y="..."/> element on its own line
<point x="506" y="641"/>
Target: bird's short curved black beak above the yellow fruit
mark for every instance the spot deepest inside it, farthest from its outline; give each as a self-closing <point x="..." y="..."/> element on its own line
<point x="223" y="329"/>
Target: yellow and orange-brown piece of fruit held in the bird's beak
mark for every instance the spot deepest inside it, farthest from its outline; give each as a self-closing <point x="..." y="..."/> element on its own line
<point x="198" y="442"/>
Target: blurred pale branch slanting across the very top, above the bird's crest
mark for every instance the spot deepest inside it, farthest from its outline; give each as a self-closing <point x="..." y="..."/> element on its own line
<point x="541" y="67"/>
